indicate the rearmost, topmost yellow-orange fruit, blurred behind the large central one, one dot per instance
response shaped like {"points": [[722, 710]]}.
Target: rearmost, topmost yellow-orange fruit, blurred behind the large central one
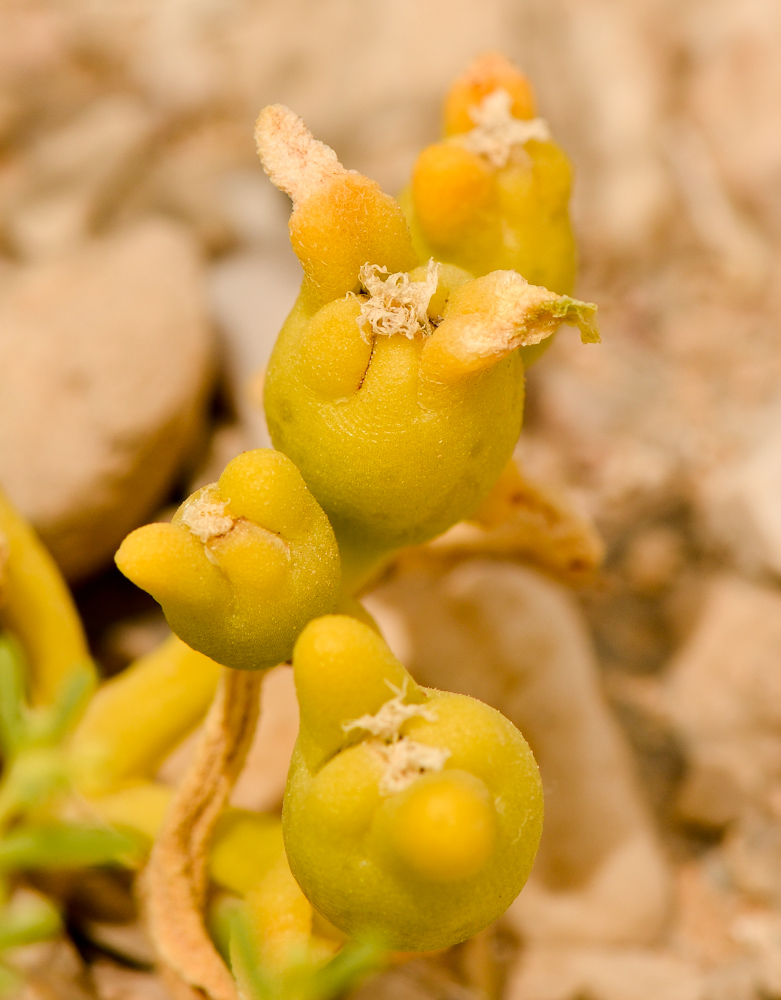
{"points": [[493, 195]]}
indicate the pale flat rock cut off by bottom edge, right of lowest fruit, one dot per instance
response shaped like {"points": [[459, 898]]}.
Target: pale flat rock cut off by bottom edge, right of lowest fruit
{"points": [[603, 974]]}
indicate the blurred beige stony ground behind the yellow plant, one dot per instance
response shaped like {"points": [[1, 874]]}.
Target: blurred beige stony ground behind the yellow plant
{"points": [[145, 271]]}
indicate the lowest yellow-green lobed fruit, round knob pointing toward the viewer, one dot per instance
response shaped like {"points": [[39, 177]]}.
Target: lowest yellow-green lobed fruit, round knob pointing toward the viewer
{"points": [[412, 816]]}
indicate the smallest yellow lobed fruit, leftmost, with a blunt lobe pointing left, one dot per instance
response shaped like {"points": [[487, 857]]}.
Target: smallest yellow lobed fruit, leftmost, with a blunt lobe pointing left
{"points": [[243, 566]]}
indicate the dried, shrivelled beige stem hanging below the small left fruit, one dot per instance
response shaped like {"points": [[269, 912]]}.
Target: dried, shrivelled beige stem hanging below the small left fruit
{"points": [[176, 877]]}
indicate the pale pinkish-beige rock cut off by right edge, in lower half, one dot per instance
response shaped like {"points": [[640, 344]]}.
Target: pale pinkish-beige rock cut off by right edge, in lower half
{"points": [[723, 691]]}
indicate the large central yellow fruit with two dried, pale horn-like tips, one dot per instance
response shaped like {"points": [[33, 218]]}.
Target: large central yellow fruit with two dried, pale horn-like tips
{"points": [[396, 390]]}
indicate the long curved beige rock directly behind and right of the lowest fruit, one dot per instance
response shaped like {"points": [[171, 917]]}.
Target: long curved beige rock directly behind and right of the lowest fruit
{"points": [[510, 637]]}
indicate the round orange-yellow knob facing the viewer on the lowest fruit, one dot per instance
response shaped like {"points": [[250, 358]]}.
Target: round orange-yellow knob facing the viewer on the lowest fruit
{"points": [[445, 827]]}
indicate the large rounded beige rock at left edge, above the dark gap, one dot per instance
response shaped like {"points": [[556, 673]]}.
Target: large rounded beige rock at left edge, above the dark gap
{"points": [[105, 357]]}
